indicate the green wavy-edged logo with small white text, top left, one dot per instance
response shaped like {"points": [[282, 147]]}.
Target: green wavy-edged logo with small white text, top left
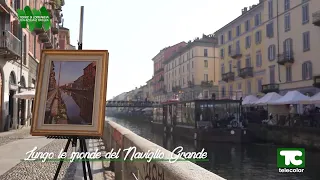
{"points": [[34, 18]]}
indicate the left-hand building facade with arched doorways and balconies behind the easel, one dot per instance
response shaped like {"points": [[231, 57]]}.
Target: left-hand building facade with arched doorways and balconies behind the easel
{"points": [[19, 58]]}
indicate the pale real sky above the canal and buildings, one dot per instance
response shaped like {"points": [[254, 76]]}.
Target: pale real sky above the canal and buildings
{"points": [[135, 31]]}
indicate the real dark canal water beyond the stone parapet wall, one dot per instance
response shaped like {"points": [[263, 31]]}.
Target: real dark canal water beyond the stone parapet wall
{"points": [[231, 161]]}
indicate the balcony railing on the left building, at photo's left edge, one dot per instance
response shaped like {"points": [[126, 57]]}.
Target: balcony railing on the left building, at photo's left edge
{"points": [[11, 42]]}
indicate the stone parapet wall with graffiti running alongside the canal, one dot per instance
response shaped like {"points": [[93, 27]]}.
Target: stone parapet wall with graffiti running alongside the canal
{"points": [[117, 137]]}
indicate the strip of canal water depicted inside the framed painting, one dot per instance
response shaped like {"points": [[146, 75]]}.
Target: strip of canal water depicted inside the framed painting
{"points": [[73, 110]]}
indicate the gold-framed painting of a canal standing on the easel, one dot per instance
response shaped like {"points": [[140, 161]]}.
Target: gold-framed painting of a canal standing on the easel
{"points": [[70, 93]]}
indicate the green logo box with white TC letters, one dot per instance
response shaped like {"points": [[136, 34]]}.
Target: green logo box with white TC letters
{"points": [[291, 157]]}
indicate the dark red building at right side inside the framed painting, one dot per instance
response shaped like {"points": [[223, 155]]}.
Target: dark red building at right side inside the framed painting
{"points": [[89, 76]]}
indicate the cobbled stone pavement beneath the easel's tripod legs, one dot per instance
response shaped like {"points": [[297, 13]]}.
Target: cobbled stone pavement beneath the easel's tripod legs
{"points": [[15, 144]]}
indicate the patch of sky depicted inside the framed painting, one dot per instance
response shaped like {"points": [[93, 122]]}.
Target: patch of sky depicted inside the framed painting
{"points": [[70, 71]]}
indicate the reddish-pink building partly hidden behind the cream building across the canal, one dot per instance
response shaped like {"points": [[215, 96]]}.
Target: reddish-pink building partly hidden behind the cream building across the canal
{"points": [[158, 78]]}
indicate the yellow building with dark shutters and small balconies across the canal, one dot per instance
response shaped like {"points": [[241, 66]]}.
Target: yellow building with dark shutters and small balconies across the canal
{"points": [[241, 50]]}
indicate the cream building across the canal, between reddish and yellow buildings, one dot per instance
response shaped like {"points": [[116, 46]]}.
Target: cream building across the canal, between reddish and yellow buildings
{"points": [[192, 71]]}
